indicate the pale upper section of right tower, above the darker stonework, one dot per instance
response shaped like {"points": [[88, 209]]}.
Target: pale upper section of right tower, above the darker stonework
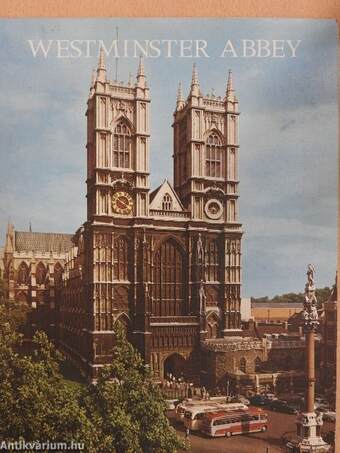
{"points": [[205, 152]]}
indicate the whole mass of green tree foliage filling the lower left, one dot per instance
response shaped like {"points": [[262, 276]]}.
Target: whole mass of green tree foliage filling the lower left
{"points": [[124, 412]]}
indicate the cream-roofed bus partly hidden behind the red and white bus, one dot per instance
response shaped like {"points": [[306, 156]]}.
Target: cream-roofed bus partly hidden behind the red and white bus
{"points": [[193, 416]]}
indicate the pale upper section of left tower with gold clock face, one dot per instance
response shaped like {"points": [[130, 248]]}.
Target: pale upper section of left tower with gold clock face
{"points": [[117, 147]]}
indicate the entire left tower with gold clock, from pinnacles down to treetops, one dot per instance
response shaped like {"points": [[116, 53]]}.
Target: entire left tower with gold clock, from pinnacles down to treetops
{"points": [[118, 121]]}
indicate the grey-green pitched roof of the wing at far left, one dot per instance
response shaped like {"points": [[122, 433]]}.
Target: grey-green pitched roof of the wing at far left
{"points": [[42, 242]]}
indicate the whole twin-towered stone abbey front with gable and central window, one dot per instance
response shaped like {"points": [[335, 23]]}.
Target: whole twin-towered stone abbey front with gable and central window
{"points": [[165, 264]]}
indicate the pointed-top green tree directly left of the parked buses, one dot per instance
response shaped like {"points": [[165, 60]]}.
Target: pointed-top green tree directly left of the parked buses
{"points": [[128, 406]]}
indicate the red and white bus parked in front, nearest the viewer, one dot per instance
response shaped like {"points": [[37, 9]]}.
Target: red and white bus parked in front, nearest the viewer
{"points": [[222, 423]]}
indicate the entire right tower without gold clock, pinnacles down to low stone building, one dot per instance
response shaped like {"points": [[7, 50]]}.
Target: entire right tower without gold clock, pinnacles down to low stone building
{"points": [[206, 150]]}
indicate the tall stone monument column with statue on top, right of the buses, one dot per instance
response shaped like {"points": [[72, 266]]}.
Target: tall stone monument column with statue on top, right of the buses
{"points": [[308, 423]]}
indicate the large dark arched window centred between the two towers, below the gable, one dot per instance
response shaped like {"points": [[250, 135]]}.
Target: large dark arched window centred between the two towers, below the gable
{"points": [[168, 280]]}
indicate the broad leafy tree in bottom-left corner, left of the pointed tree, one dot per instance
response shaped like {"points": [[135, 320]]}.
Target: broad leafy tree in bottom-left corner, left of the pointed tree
{"points": [[35, 402]]}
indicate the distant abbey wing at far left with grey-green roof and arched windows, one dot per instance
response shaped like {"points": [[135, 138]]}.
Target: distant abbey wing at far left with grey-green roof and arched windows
{"points": [[33, 264]]}
